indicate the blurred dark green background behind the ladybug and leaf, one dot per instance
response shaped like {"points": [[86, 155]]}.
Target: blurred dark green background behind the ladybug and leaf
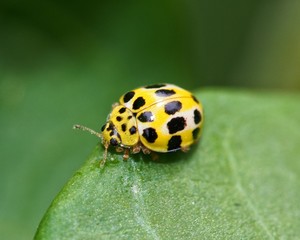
{"points": [[66, 62]]}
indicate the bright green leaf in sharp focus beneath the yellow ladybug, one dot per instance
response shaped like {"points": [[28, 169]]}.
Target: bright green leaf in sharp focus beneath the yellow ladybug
{"points": [[241, 181]]}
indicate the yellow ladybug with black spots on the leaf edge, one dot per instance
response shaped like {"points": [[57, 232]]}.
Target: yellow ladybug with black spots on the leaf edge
{"points": [[155, 118]]}
